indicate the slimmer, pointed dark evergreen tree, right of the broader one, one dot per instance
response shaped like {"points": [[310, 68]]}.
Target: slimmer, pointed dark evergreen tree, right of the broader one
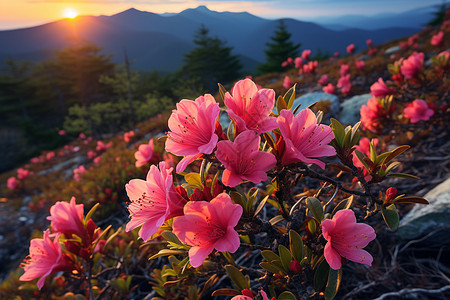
{"points": [[280, 49]]}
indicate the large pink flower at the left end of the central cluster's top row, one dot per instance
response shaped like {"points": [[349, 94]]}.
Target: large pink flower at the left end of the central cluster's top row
{"points": [[192, 127]]}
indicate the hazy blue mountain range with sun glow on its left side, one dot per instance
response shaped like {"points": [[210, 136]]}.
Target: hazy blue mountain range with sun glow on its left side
{"points": [[159, 41]]}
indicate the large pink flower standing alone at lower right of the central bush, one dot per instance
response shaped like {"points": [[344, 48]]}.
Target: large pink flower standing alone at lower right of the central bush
{"points": [[346, 238]]}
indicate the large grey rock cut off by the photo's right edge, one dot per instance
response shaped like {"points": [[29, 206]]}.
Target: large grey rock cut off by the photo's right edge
{"points": [[424, 219]]}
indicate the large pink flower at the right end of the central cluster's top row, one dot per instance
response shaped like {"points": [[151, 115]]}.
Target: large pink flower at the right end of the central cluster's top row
{"points": [[304, 138]]}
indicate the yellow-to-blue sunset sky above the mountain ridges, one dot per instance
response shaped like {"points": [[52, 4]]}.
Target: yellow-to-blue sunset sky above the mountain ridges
{"points": [[26, 13]]}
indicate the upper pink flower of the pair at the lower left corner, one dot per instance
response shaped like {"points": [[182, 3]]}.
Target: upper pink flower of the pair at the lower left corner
{"points": [[67, 218]]}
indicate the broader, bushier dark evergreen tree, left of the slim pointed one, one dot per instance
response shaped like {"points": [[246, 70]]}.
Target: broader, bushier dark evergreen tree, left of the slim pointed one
{"points": [[210, 62]]}
